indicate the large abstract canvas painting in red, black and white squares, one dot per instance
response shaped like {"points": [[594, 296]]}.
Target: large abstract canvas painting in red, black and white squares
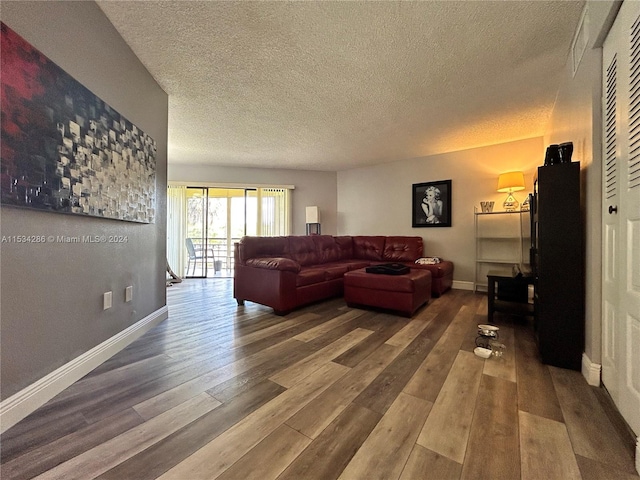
{"points": [[65, 150]]}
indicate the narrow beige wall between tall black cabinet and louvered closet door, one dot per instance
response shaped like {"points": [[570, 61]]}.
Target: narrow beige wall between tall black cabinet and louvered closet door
{"points": [[577, 117]]}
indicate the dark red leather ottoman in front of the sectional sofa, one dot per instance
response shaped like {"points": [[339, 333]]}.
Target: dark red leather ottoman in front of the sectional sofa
{"points": [[402, 293]]}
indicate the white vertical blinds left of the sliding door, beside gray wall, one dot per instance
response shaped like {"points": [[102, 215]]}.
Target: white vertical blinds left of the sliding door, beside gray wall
{"points": [[176, 227]]}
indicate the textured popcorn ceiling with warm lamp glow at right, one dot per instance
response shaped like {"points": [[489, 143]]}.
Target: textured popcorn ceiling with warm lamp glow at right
{"points": [[336, 85]]}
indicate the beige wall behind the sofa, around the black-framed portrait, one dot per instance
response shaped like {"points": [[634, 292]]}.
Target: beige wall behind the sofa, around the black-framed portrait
{"points": [[377, 200]]}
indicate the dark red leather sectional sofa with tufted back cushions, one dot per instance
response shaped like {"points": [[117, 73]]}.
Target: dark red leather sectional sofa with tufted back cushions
{"points": [[287, 272]]}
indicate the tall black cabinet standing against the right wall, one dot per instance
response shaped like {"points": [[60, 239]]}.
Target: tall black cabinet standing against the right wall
{"points": [[558, 265]]}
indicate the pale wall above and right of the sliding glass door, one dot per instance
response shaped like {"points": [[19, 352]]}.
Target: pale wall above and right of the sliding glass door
{"points": [[311, 188]]}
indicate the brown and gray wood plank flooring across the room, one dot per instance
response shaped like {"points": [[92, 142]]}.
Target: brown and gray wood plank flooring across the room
{"points": [[326, 392]]}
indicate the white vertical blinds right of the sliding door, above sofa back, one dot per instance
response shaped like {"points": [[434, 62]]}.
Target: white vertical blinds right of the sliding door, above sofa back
{"points": [[274, 212]]}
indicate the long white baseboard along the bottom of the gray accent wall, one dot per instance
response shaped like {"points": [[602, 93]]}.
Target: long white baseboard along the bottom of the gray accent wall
{"points": [[29, 399]]}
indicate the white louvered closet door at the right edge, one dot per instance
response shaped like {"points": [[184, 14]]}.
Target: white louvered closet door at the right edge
{"points": [[621, 213]]}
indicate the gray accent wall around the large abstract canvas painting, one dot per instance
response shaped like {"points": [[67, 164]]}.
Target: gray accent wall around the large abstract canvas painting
{"points": [[51, 294]]}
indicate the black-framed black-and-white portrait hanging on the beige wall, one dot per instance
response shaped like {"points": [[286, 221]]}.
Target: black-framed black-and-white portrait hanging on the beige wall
{"points": [[433, 213]]}
